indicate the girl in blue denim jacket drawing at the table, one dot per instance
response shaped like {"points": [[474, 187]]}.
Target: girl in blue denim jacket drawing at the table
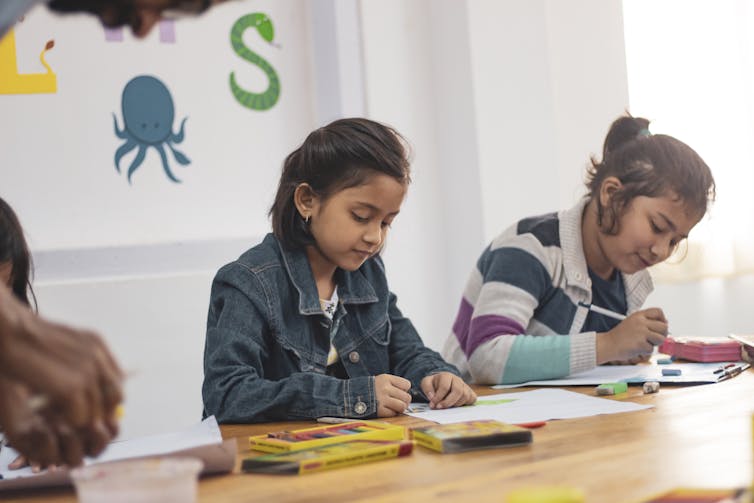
{"points": [[304, 325]]}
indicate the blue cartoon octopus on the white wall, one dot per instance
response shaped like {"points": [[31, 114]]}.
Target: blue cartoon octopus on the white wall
{"points": [[148, 119]]}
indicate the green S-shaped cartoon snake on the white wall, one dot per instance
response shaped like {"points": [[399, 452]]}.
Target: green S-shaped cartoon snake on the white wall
{"points": [[254, 101]]}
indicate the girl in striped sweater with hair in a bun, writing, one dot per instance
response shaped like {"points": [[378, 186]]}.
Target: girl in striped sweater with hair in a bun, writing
{"points": [[525, 313]]}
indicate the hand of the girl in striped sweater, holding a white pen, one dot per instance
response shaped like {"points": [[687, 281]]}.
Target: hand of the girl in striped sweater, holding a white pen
{"points": [[633, 337]]}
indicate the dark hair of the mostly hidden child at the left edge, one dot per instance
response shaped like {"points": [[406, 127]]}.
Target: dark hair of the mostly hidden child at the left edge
{"points": [[15, 251]]}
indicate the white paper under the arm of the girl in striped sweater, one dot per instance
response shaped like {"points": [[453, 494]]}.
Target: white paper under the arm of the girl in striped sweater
{"points": [[698, 373]]}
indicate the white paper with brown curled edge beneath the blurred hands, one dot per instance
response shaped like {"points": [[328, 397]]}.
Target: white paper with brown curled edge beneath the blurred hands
{"points": [[202, 441]]}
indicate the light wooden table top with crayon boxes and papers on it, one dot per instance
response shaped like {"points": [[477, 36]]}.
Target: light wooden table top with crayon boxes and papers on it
{"points": [[697, 436]]}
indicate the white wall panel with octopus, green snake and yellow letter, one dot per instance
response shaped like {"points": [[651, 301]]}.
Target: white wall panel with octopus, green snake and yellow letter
{"points": [[112, 140]]}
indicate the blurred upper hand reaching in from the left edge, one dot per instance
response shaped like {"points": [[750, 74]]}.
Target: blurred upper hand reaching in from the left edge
{"points": [[70, 368]]}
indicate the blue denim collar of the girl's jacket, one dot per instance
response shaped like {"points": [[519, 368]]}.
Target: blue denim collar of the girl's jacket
{"points": [[353, 287]]}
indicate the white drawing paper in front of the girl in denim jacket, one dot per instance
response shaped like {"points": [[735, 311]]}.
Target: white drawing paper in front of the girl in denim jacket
{"points": [[530, 406]]}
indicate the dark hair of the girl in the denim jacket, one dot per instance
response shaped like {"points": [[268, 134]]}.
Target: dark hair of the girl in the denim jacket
{"points": [[343, 154]]}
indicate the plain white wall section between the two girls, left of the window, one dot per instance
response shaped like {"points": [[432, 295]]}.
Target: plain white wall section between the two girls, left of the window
{"points": [[502, 103]]}
